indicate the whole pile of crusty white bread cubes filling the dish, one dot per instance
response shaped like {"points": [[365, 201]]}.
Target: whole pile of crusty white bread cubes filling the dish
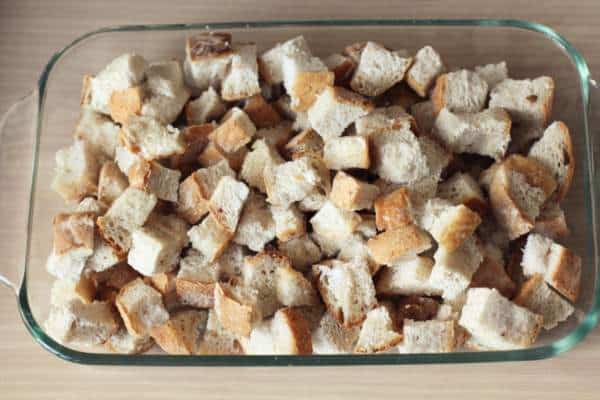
{"points": [[246, 202]]}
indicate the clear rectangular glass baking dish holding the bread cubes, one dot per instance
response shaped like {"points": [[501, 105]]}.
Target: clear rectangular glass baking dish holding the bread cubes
{"points": [[37, 126]]}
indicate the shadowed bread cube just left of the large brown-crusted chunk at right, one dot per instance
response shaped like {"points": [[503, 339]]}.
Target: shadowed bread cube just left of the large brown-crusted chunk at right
{"points": [[462, 188]]}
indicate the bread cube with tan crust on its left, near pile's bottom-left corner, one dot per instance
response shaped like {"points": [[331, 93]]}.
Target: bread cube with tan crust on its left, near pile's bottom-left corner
{"points": [[141, 307]]}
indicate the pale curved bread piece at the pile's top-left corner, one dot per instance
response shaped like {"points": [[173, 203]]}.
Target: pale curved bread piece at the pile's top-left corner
{"points": [[125, 71]]}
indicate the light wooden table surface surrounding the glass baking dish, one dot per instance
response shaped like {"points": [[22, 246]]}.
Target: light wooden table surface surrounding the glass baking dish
{"points": [[30, 31]]}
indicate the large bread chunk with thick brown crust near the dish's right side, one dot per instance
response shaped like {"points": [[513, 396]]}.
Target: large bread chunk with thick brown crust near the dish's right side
{"points": [[519, 188]]}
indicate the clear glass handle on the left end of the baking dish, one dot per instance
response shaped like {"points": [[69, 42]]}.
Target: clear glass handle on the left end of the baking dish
{"points": [[16, 161]]}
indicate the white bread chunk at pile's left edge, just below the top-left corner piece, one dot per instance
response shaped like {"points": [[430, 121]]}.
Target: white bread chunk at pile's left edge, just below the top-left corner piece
{"points": [[101, 134]]}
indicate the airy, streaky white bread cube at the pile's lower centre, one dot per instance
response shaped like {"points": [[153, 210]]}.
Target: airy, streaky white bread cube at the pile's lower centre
{"points": [[347, 290]]}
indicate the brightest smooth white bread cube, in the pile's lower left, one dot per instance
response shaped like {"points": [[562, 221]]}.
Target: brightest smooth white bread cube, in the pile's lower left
{"points": [[156, 246]]}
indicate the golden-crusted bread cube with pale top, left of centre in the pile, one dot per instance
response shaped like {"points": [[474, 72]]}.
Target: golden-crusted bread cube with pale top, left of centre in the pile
{"points": [[196, 190]]}
